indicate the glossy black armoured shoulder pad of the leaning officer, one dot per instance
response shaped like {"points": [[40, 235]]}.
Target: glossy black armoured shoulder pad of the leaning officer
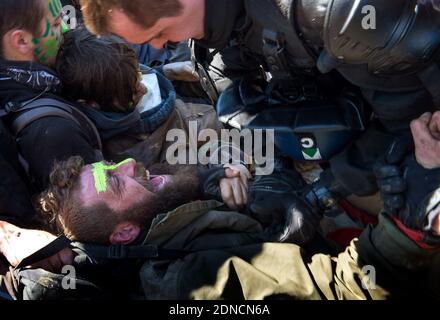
{"points": [[392, 36]]}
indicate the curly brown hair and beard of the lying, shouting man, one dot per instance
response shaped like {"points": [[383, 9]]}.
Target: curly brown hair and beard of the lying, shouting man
{"points": [[61, 207]]}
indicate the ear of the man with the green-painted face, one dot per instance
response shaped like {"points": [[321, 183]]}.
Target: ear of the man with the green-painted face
{"points": [[18, 45]]}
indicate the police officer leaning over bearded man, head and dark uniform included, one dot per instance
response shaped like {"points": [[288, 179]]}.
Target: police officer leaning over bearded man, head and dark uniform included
{"points": [[327, 62]]}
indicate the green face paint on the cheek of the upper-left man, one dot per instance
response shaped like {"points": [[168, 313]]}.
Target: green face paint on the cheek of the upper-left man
{"points": [[49, 42]]}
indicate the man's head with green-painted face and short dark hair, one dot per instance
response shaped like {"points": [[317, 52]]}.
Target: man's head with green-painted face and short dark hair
{"points": [[30, 30]]}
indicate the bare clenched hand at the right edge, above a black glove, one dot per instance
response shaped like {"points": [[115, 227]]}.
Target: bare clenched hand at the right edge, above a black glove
{"points": [[426, 133]]}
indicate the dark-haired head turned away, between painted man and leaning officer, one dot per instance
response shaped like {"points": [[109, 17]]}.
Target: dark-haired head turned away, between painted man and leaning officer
{"points": [[102, 72]]}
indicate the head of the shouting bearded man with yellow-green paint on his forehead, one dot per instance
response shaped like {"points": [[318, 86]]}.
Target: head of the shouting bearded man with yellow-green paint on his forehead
{"points": [[107, 203]]}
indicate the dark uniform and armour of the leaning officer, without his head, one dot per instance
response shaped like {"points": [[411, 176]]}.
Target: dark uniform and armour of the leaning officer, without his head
{"points": [[387, 49]]}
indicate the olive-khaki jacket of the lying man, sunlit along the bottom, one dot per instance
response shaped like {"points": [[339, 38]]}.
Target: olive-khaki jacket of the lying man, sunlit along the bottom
{"points": [[231, 261]]}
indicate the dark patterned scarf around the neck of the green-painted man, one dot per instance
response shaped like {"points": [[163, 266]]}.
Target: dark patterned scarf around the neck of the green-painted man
{"points": [[31, 74]]}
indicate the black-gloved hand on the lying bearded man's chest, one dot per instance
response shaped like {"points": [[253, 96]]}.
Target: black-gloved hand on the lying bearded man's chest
{"points": [[276, 205]]}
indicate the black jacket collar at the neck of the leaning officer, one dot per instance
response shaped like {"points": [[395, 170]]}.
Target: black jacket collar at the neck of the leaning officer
{"points": [[221, 19]]}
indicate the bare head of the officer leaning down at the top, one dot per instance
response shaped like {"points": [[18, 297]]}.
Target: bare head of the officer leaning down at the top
{"points": [[142, 21]]}
